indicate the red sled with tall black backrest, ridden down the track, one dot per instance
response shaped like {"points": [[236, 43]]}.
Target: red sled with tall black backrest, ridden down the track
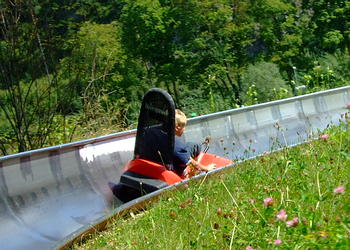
{"points": [[145, 174]]}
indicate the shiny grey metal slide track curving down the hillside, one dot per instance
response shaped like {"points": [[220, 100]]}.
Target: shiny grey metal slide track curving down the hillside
{"points": [[49, 195]]}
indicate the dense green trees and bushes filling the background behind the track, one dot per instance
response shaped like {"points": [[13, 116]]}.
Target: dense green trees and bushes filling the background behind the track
{"points": [[86, 64]]}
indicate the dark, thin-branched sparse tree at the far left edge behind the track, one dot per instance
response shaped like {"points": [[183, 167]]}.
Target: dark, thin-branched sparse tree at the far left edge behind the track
{"points": [[30, 94]]}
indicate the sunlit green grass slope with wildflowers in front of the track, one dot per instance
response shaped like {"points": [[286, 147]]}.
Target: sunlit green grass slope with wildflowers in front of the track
{"points": [[227, 211]]}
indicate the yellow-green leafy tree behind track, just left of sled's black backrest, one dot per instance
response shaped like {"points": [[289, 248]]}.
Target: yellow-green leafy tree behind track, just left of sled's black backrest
{"points": [[98, 71]]}
